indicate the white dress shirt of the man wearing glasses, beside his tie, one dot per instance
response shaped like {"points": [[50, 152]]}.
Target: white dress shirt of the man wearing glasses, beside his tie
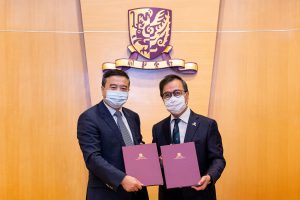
{"points": [[184, 119]]}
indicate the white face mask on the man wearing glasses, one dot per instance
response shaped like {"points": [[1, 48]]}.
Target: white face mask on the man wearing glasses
{"points": [[175, 105]]}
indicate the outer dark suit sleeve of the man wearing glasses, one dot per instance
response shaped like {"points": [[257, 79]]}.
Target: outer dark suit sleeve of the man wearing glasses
{"points": [[215, 153]]}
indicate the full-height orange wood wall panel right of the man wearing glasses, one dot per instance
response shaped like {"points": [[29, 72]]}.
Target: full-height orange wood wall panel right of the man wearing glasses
{"points": [[255, 98]]}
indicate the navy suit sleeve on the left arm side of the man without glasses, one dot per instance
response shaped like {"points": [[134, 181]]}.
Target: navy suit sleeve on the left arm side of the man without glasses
{"points": [[90, 144]]}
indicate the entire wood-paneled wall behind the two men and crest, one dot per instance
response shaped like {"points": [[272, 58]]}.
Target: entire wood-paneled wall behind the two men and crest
{"points": [[254, 94]]}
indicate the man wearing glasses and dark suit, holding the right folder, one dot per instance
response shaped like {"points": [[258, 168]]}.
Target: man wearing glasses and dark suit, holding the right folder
{"points": [[183, 125]]}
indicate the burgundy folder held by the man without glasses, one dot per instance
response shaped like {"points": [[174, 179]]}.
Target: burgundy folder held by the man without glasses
{"points": [[142, 162]]}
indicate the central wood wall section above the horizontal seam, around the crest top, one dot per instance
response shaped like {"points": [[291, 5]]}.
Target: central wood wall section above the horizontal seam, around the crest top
{"points": [[188, 15]]}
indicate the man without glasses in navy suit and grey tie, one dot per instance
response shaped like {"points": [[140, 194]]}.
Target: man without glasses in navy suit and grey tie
{"points": [[102, 131]]}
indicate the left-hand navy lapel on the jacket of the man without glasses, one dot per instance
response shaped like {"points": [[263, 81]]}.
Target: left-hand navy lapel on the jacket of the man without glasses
{"points": [[106, 116]]}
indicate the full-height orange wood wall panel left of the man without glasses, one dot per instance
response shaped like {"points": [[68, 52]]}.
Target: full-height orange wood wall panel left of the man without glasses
{"points": [[43, 89]]}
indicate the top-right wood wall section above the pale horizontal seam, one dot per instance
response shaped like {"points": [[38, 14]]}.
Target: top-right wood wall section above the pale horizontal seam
{"points": [[260, 15]]}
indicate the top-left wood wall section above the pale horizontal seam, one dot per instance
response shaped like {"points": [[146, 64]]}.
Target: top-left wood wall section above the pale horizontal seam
{"points": [[43, 15]]}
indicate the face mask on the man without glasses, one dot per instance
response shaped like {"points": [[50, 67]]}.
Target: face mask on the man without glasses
{"points": [[115, 99]]}
